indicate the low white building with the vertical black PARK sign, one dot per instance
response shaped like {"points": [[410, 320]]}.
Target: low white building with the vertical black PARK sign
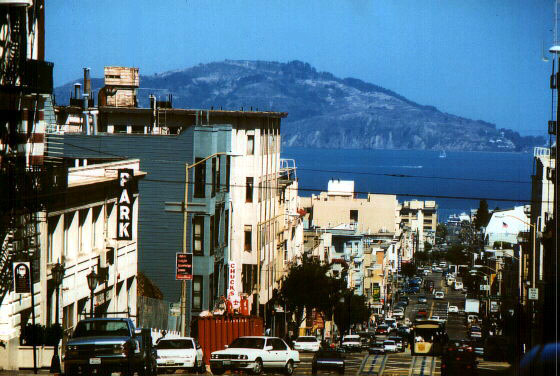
{"points": [[78, 228]]}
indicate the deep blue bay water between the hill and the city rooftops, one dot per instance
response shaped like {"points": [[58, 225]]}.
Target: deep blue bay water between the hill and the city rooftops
{"points": [[456, 182]]}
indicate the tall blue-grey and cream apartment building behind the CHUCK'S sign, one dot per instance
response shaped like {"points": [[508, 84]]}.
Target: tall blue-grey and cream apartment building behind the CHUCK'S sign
{"points": [[242, 197]]}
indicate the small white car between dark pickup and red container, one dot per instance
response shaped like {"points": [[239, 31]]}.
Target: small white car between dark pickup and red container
{"points": [[179, 353]]}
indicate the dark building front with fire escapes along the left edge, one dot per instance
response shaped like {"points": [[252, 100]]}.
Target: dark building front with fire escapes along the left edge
{"points": [[26, 183]]}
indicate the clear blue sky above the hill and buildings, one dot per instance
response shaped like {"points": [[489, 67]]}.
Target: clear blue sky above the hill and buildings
{"points": [[475, 58]]}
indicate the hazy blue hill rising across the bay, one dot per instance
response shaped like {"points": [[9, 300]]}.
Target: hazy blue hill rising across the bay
{"points": [[324, 111]]}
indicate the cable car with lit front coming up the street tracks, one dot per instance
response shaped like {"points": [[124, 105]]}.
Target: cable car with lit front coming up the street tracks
{"points": [[428, 338]]}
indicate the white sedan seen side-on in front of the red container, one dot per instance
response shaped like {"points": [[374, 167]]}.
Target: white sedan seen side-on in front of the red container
{"points": [[254, 354]]}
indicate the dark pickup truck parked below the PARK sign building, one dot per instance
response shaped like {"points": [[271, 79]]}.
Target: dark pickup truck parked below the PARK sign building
{"points": [[107, 345]]}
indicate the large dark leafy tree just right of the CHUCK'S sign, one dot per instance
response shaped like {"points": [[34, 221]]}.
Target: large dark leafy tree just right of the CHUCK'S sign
{"points": [[308, 286]]}
